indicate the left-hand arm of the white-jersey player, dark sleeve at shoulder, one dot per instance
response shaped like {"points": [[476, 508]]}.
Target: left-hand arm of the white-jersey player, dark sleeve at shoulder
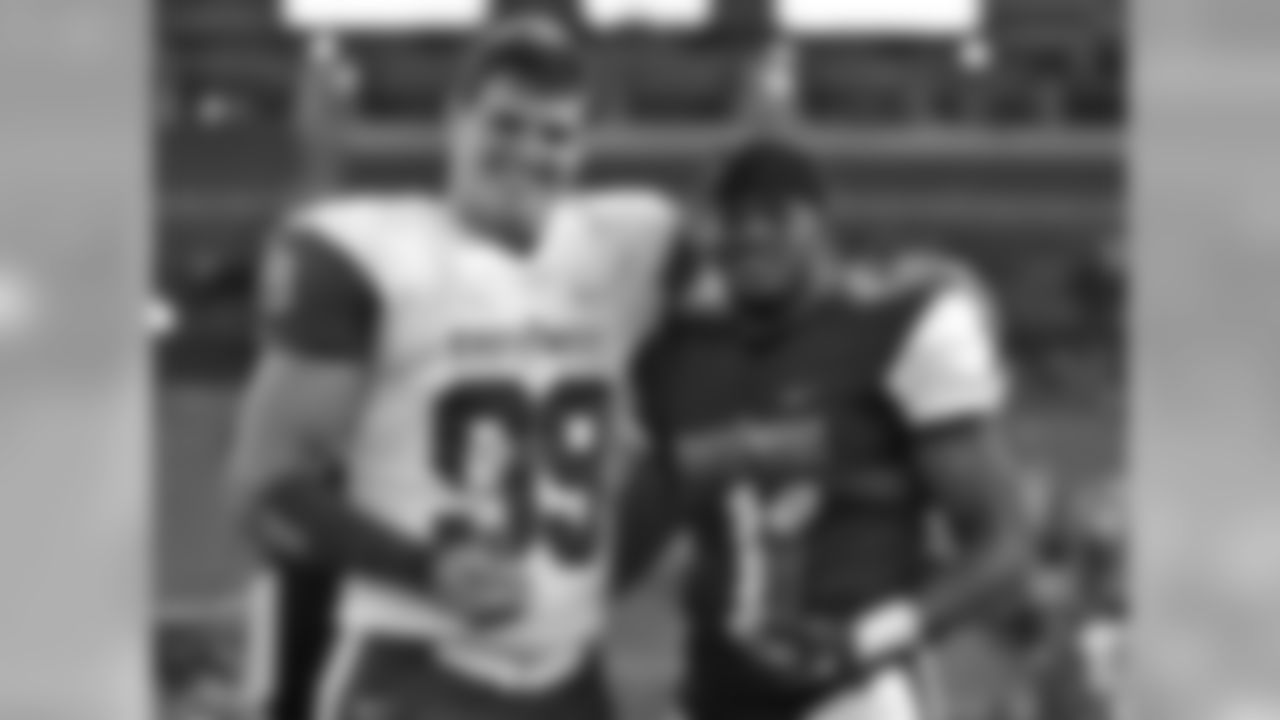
{"points": [[321, 330]]}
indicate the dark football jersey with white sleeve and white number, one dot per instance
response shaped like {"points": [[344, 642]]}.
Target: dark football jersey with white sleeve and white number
{"points": [[792, 441]]}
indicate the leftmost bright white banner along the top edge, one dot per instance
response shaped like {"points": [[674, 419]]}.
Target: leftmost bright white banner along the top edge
{"points": [[385, 15]]}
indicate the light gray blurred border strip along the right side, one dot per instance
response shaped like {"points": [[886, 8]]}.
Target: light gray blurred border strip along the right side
{"points": [[1208, 321]]}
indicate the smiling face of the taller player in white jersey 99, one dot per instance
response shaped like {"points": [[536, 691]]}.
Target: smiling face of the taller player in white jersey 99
{"points": [[515, 149]]}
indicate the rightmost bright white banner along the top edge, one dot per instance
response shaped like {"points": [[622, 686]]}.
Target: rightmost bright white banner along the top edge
{"points": [[881, 17]]}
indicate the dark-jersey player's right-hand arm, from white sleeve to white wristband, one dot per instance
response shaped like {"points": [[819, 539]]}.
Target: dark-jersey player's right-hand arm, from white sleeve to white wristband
{"points": [[950, 386]]}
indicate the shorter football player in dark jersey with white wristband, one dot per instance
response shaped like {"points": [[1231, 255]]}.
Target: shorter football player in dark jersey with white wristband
{"points": [[810, 425]]}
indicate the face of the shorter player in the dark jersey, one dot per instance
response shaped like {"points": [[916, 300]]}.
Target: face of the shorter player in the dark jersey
{"points": [[769, 253]]}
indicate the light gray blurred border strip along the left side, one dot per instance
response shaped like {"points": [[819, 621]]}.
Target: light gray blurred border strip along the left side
{"points": [[74, 420]]}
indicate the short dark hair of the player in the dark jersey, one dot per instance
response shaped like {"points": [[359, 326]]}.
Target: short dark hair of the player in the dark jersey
{"points": [[766, 174]]}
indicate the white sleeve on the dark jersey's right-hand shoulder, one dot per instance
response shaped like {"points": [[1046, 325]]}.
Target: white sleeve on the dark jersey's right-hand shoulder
{"points": [[950, 366]]}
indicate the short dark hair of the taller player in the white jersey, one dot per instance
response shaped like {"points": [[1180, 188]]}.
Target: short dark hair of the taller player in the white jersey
{"points": [[533, 51]]}
